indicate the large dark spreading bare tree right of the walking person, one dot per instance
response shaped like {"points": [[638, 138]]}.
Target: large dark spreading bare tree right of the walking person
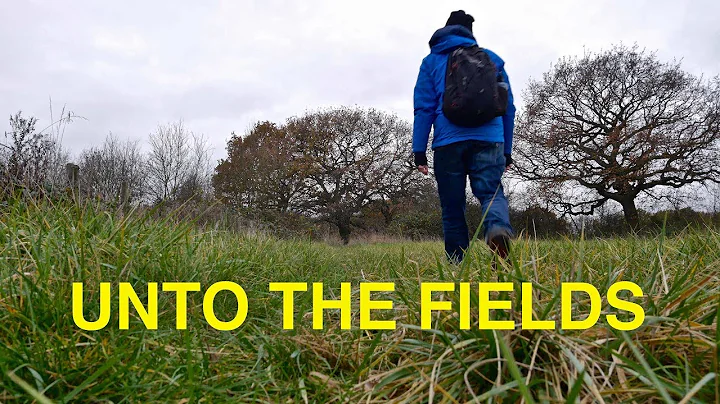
{"points": [[617, 124]]}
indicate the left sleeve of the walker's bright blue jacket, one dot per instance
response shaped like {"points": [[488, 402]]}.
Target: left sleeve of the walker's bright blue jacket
{"points": [[425, 102]]}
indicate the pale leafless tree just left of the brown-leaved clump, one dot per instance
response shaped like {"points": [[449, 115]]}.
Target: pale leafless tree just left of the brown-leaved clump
{"points": [[177, 165]]}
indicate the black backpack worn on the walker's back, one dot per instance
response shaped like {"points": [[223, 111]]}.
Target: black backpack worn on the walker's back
{"points": [[474, 91]]}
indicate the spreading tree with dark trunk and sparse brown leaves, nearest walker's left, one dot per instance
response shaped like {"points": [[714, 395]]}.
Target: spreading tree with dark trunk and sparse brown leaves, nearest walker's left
{"points": [[351, 158]]}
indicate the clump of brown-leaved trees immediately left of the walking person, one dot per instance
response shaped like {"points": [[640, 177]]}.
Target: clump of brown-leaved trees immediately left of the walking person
{"points": [[329, 165]]}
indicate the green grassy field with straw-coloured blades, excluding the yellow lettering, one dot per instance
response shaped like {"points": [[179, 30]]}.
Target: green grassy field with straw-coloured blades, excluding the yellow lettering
{"points": [[45, 357]]}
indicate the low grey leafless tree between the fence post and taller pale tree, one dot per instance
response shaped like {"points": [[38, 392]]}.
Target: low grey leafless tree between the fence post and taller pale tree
{"points": [[106, 168]]}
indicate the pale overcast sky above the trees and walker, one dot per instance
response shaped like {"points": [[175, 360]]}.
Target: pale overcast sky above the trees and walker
{"points": [[220, 65]]}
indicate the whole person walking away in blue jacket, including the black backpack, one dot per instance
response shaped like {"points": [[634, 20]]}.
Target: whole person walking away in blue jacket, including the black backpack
{"points": [[463, 94]]}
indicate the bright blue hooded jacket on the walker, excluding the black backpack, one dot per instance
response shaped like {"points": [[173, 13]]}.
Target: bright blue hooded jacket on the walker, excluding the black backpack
{"points": [[429, 92]]}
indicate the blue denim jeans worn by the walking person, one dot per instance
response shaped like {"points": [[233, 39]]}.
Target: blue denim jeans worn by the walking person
{"points": [[484, 163]]}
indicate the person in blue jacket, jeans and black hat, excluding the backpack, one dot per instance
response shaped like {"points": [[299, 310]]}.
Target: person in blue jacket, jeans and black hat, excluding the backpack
{"points": [[481, 153]]}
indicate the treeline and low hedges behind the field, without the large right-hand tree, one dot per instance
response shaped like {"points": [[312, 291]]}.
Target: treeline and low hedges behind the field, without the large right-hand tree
{"points": [[312, 177]]}
